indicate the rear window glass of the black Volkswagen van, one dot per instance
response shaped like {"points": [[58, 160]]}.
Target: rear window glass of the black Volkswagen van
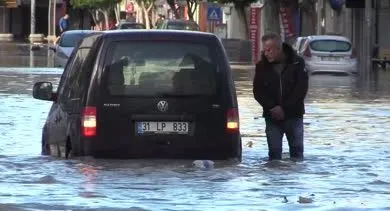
{"points": [[148, 68]]}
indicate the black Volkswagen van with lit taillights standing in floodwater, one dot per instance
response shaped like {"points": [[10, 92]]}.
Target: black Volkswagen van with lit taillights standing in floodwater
{"points": [[122, 94]]}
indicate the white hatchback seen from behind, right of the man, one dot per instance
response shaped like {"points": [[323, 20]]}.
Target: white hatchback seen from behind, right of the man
{"points": [[329, 54]]}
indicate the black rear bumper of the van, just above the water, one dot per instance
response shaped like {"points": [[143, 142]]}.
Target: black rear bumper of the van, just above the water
{"points": [[229, 147]]}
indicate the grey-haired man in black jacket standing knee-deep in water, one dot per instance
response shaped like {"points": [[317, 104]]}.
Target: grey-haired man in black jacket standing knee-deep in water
{"points": [[280, 86]]}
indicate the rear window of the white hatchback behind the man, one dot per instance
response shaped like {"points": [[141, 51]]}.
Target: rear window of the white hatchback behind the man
{"points": [[330, 45]]}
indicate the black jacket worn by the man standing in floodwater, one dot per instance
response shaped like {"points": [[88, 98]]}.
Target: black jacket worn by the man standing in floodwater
{"points": [[287, 90]]}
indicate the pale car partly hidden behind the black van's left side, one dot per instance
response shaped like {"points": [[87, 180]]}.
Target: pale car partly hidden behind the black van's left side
{"points": [[65, 45]]}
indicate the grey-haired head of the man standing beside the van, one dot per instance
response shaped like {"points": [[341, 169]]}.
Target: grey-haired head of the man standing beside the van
{"points": [[272, 46]]}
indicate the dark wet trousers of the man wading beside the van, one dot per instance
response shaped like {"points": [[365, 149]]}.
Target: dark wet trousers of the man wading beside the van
{"points": [[293, 128]]}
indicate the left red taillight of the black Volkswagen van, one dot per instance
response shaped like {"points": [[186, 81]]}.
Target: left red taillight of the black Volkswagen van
{"points": [[88, 121]]}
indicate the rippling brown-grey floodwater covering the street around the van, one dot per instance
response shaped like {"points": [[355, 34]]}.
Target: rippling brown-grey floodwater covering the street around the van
{"points": [[346, 147]]}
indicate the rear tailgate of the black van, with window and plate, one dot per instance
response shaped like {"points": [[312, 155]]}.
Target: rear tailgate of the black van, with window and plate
{"points": [[152, 96]]}
